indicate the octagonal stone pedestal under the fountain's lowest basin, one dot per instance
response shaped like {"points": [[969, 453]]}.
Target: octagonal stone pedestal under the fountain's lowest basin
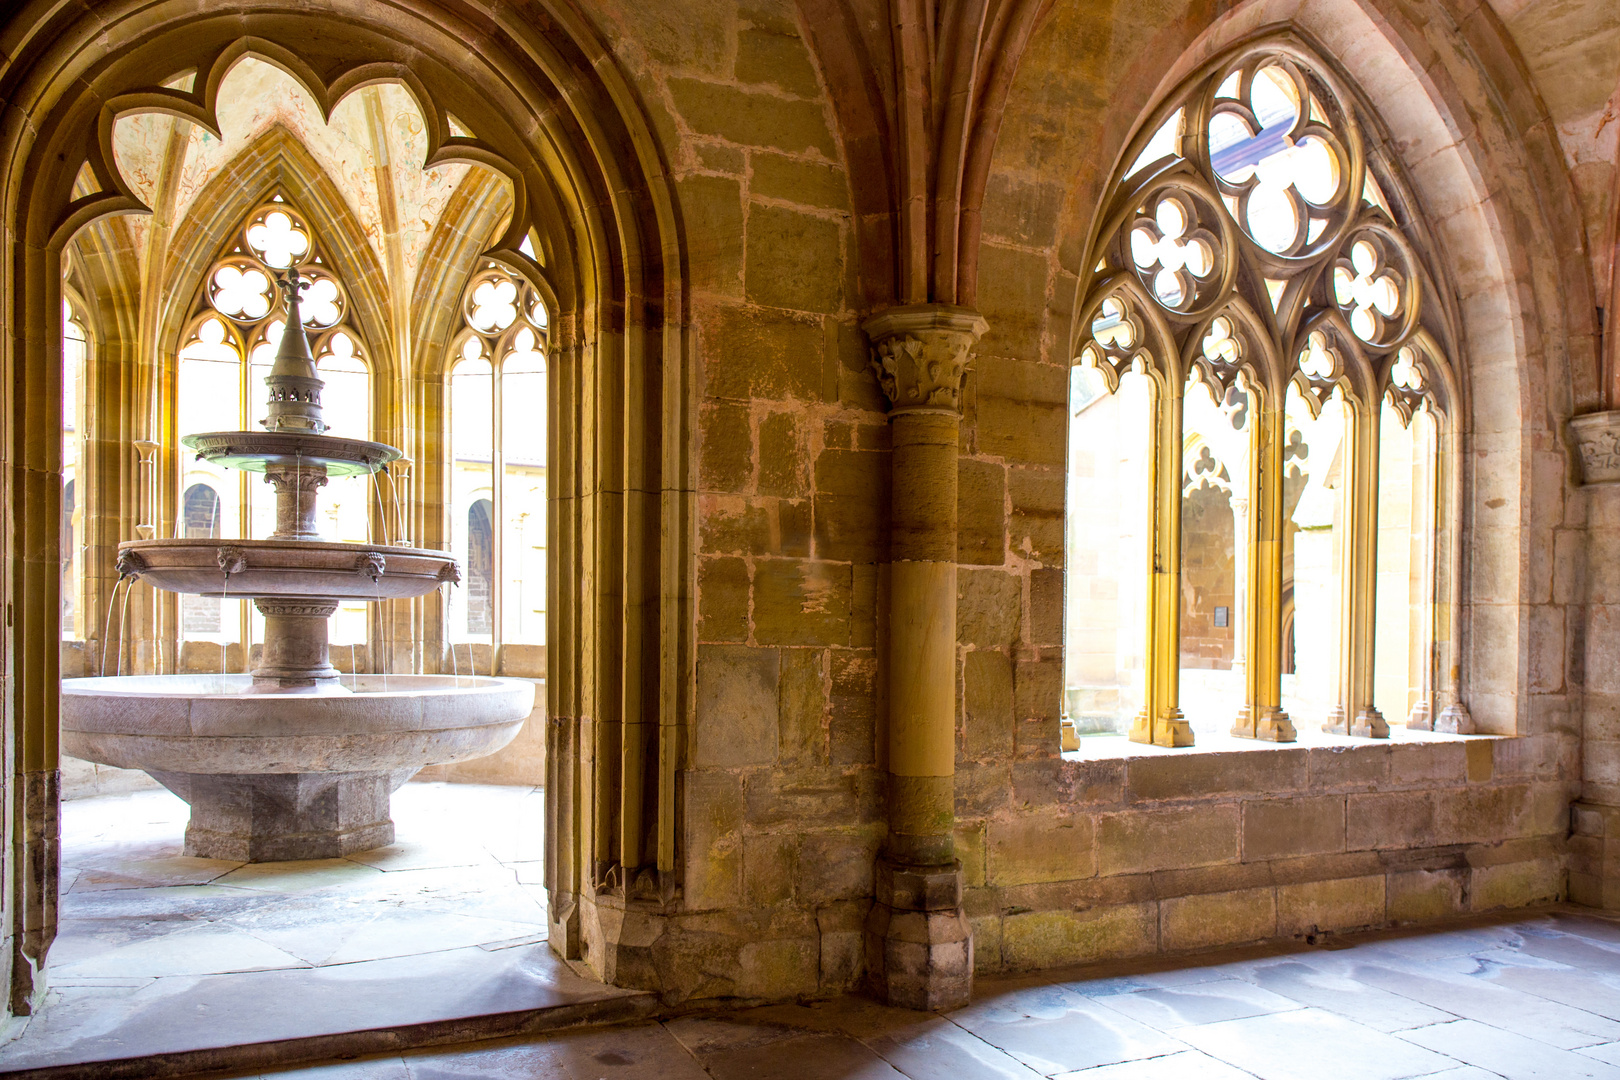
{"points": [[283, 817]]}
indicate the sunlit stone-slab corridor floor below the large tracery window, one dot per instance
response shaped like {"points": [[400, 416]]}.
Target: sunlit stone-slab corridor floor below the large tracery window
{"points": [[1535, 998]]}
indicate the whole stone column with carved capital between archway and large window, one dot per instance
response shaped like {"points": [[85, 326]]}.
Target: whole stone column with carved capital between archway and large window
{"points": [[919, 943]]}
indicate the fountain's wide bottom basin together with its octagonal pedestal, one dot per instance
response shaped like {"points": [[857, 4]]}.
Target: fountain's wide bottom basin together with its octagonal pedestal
{"points": [[275, 776]]}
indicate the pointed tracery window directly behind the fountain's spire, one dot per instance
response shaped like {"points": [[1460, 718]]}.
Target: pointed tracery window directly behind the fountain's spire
{"points": [[226, 352]]}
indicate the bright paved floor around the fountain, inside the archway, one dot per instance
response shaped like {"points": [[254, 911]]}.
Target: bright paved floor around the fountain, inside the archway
{"points": [[160, 953]]}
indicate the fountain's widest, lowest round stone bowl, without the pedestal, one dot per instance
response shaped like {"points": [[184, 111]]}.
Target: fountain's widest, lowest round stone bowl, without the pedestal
{"points": [[218, 725]]}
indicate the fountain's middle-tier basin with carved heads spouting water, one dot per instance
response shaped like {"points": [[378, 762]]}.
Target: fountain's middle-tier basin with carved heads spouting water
{"points": [[288, 569]]}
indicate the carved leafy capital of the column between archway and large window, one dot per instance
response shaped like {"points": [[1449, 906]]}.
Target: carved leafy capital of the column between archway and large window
{"points": [[919, 354]]}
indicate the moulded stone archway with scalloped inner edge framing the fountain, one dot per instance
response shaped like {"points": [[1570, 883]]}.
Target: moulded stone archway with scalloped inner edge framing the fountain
{"points": [[550, 114]]}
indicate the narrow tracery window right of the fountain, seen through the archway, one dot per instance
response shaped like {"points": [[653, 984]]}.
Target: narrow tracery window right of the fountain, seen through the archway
{"points": [[498, 462]]}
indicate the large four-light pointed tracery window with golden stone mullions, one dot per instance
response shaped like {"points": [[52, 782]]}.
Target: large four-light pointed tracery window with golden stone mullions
{"points": [[1261, 313]]}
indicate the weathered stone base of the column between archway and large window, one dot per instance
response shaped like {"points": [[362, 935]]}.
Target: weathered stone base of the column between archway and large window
{"points": [[919, 943]]}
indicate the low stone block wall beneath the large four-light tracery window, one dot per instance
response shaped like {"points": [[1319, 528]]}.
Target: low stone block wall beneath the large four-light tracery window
{"points": [[1091, 861]]}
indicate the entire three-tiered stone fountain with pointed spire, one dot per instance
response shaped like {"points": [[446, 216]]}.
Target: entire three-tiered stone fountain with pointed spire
{"points": [[294, 760]]}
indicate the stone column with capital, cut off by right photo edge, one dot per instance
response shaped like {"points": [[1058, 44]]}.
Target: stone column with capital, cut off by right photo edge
{"points": [[1595, 820]]}
